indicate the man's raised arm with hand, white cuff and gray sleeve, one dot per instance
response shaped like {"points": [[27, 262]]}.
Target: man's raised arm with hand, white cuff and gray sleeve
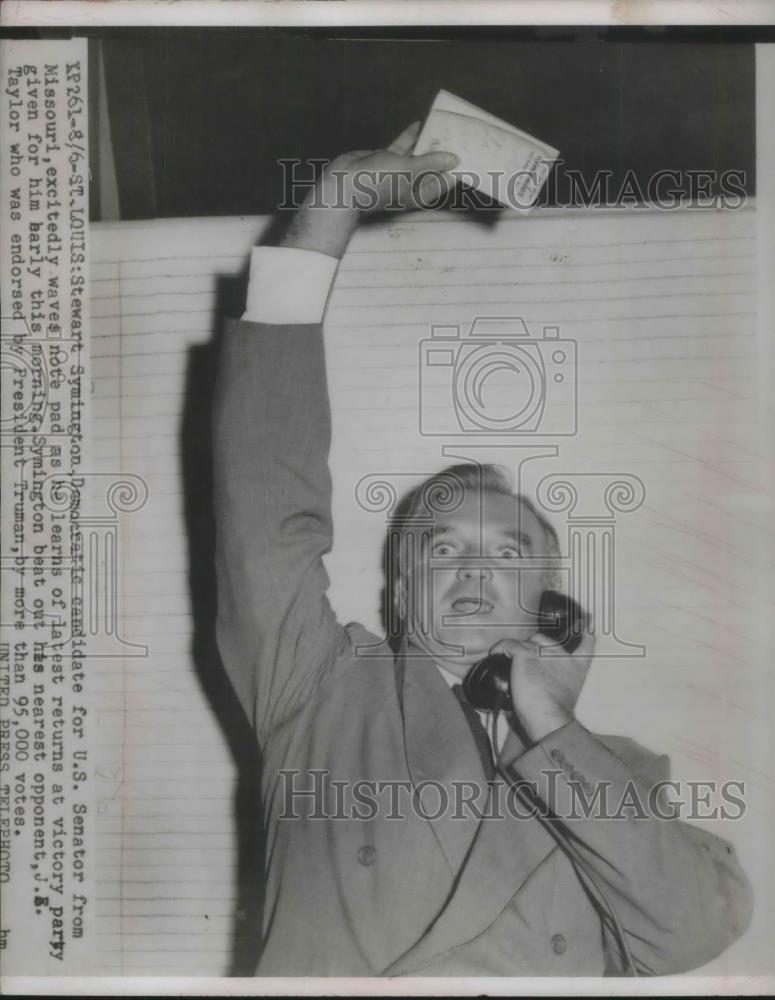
{"points": [[277, 633]]}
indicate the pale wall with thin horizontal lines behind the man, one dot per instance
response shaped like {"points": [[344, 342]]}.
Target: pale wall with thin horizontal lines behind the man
{"points": [[663, 307]]}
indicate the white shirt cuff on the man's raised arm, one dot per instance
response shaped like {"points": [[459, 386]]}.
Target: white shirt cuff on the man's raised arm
{"points": [[288, 285]]}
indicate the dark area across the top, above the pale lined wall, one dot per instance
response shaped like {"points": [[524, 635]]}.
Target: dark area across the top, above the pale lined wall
{"points": [[199, 119]]}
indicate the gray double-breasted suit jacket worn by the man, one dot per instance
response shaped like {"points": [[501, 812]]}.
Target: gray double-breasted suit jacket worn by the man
{"points": [[425, 894]]}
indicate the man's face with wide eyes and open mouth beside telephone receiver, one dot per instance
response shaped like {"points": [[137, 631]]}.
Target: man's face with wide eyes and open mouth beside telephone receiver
{"points": [[483, 581]]}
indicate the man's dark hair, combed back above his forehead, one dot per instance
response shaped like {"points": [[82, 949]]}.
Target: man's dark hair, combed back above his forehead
{"points": [[444, 491]]}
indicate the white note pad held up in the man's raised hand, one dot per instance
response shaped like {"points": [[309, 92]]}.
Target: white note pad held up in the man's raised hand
{"points": [[496, 158]]}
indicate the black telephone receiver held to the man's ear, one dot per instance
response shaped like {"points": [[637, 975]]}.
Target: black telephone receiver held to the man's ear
{"points": [[486, 685]]}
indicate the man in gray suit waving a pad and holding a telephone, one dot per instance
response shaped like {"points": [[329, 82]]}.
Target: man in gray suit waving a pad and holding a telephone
{"points": [[418, 890]]}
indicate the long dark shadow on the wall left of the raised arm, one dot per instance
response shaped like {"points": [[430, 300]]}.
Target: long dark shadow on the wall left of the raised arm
{"points": [[197, 472]]}
